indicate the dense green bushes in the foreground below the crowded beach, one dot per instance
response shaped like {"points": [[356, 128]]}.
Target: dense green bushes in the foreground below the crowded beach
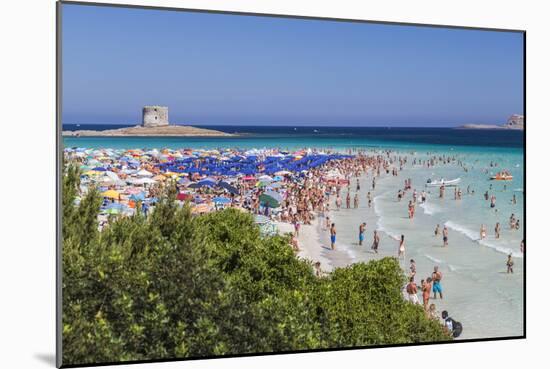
{"points": [[176, 285]]}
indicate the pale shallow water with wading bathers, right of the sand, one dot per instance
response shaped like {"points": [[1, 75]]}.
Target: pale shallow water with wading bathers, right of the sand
{"points": [[477, 290]]}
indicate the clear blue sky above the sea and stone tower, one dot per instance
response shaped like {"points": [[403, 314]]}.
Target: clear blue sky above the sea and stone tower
{"points": [[239, 70]]}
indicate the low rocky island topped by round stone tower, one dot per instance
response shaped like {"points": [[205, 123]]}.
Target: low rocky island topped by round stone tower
{"points": [[154, 123]]}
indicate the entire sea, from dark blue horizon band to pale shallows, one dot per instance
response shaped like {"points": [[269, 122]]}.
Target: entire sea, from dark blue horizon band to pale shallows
{"points": [[477, 290]]}
